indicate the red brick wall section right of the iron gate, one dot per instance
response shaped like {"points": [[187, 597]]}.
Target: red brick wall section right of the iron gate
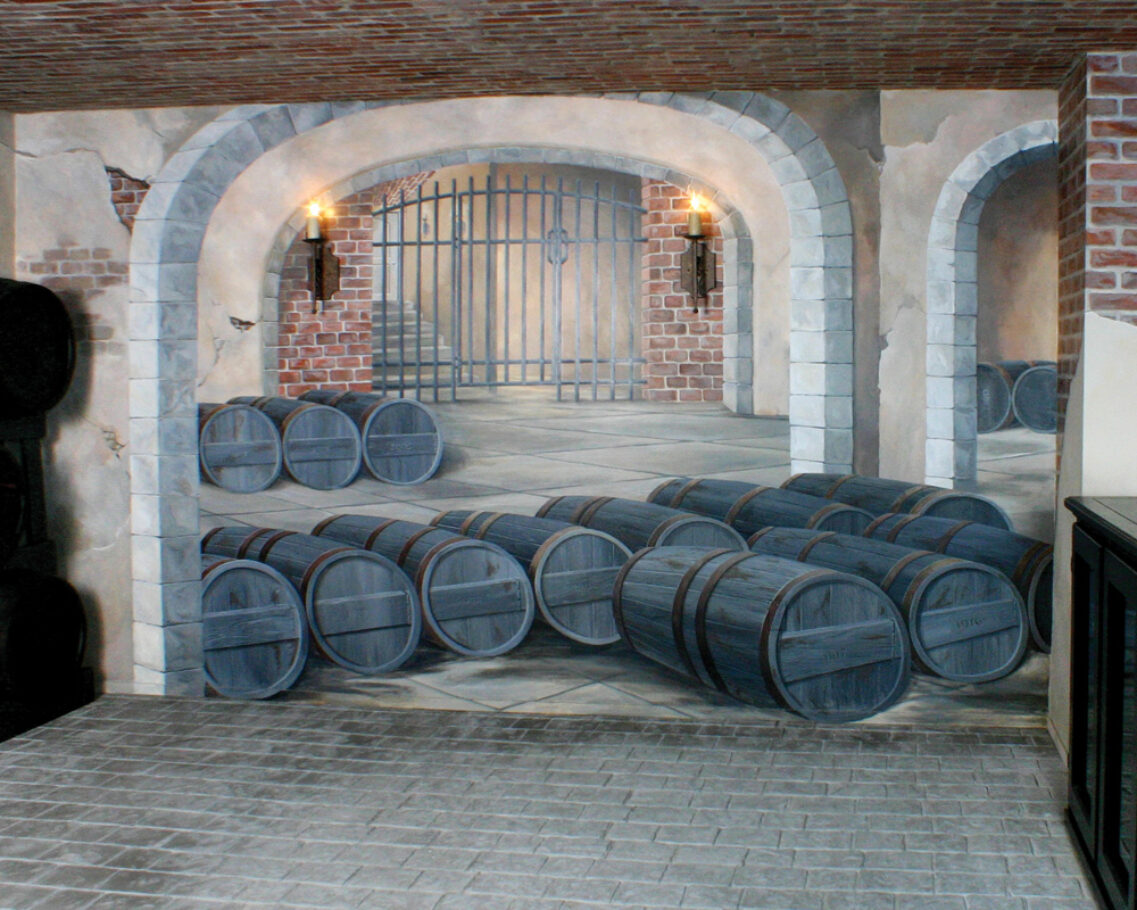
{"points": [[683, 349]]}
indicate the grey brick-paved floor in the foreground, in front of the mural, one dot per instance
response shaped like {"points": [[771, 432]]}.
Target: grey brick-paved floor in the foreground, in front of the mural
{"points": [[171, 804]]}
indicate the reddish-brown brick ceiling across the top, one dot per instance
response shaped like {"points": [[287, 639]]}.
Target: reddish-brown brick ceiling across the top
{"points": [[99, 54]]}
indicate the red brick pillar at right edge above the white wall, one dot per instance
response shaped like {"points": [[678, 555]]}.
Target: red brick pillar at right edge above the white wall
{"points": [[1098, 193]]}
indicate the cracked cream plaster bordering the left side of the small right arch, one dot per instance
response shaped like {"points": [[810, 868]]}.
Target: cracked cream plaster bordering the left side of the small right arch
{"points": [[926, 136]]}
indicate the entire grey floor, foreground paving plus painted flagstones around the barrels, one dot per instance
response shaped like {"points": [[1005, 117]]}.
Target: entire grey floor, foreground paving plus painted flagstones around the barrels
{"points": [[559, 777]]}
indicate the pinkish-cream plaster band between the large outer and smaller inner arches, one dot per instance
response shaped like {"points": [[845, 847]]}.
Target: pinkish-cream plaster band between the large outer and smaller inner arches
{"points": [[270, 192]]}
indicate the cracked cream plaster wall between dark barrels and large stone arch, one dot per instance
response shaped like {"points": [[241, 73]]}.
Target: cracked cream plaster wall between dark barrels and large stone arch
{"points": [[63, 198]]}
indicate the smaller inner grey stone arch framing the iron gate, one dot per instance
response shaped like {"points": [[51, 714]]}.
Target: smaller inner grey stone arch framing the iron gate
{"points": [[738, 247]]}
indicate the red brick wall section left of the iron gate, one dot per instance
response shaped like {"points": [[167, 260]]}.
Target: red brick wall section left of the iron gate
{"points": [[331, 350]]}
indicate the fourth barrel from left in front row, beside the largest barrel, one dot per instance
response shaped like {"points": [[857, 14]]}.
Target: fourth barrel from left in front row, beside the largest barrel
{"points": [[572, 568]]}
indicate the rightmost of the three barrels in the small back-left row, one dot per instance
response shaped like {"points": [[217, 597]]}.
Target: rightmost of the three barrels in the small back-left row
{"points": [[402, 442]]}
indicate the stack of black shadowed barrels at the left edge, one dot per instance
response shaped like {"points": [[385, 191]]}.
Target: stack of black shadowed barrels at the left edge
{"points": [[43, 621]]}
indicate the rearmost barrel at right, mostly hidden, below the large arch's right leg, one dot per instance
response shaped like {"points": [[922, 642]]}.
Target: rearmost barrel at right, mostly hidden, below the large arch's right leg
{"points": [[878, 495]]}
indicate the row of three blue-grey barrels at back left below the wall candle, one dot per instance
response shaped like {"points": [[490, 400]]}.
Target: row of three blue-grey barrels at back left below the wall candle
{"points": [[321, 441]]}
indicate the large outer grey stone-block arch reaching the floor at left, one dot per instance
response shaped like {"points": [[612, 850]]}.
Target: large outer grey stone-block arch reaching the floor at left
{"points": [[168, 242]]}
